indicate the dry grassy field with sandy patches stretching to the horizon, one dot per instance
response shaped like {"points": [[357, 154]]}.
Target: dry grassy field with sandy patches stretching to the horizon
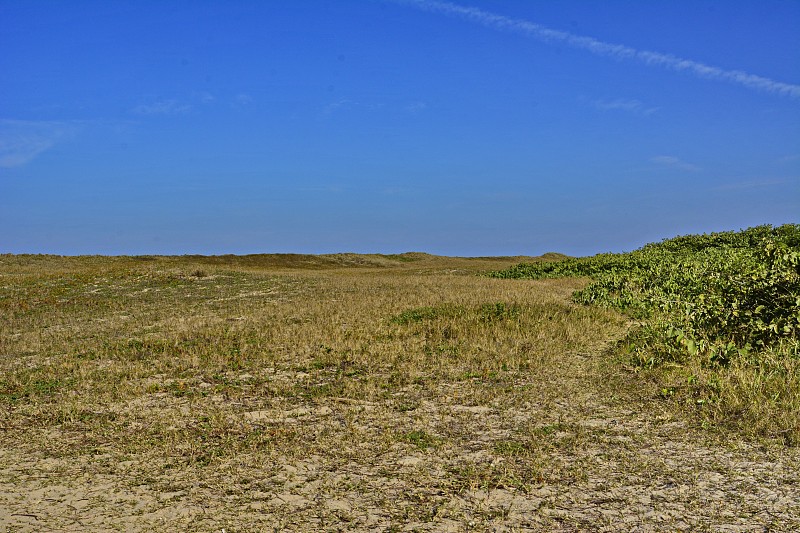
{"points": [[346, 392]]}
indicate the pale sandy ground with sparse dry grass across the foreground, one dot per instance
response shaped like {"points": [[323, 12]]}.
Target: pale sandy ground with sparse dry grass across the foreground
{"points": [[615, 466]]}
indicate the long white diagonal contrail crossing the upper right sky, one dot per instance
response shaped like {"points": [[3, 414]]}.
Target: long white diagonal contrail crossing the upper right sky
{"points": [[601, 48]]}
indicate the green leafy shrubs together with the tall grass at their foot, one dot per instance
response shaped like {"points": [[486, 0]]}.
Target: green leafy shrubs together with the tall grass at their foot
{"points": [[721, 312]]}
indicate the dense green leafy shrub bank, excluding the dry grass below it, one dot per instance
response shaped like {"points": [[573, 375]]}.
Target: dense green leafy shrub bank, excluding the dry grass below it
{"points": [[703, 300]]}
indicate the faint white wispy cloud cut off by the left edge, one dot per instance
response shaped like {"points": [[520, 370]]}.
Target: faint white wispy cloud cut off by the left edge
{"points": [[21, 141]]}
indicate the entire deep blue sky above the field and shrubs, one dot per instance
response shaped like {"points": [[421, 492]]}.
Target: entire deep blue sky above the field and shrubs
{"points": [[134, 127]]}
